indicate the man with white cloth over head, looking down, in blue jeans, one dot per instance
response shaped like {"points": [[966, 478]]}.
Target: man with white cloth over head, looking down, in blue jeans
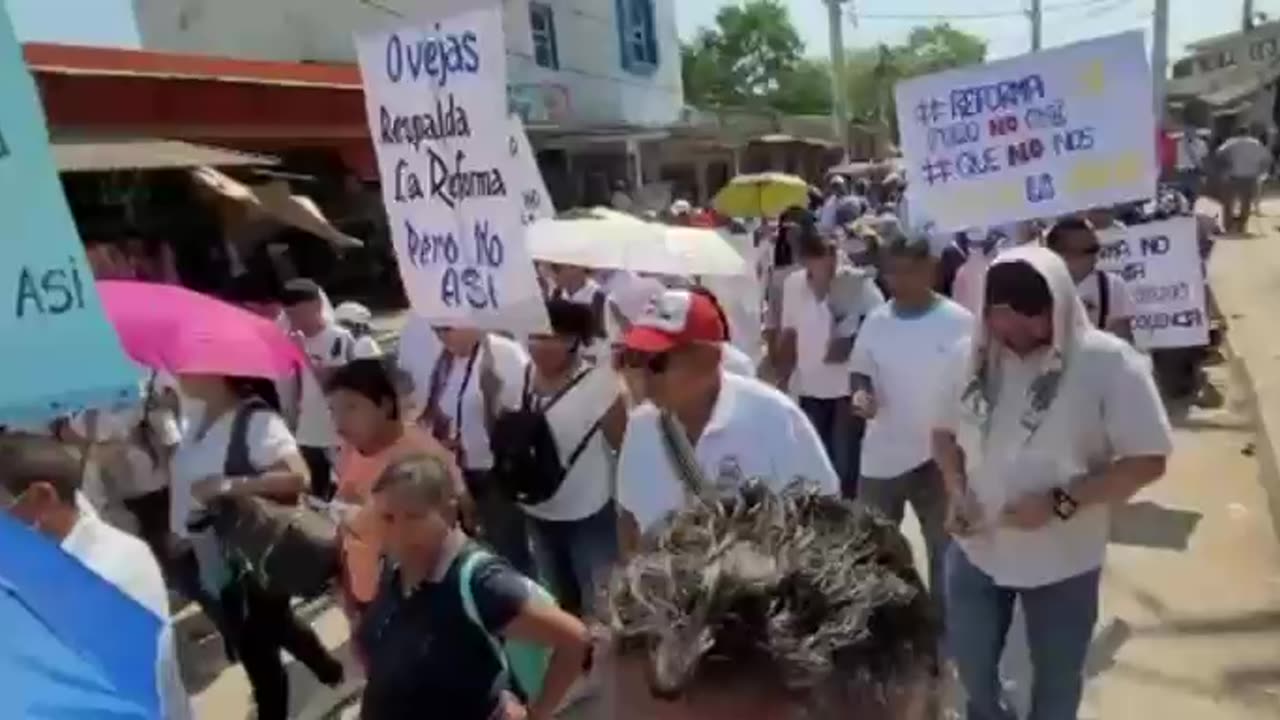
{"points": [[1044, 423]]}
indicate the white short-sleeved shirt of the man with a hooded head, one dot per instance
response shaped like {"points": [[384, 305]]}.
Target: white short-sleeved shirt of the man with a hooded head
{"points": [[1108, 408]]}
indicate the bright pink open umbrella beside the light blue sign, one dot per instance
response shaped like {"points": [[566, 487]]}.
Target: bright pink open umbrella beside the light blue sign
{"points": [[176, 330]]}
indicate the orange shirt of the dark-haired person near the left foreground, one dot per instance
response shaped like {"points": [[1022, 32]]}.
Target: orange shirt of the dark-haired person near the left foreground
{"points": [[363, 534]]}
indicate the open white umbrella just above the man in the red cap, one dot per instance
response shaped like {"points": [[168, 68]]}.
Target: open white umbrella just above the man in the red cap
{"points": [[611, 240]]}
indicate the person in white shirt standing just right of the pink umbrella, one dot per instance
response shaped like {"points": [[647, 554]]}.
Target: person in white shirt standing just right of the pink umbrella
{"points": [[327, 347]]}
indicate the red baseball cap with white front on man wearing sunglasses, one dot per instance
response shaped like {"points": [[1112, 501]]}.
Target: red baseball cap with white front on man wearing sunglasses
{"points": [[676, 318]]}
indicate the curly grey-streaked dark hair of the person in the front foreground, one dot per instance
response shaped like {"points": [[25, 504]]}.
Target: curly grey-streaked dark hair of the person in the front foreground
{"points": [[815, 594]]}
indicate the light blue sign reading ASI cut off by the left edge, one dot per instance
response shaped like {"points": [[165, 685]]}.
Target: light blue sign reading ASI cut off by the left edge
{"points": [[61, 353]]}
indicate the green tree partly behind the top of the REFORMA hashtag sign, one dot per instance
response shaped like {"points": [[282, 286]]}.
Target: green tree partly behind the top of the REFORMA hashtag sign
{"points": [[872, 72]]}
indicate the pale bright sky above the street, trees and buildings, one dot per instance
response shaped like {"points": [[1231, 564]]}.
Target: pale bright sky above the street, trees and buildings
{"points": [[1007, 30]]}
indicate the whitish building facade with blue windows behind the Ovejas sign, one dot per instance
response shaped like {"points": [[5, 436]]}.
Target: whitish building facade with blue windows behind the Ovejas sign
{"points": [[573, 65]]}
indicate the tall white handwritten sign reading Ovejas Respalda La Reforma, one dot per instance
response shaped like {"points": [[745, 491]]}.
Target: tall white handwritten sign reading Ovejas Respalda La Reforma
{"points": [[437, 102]]}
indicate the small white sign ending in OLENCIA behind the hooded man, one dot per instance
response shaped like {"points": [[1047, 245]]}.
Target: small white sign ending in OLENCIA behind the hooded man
{"points": [[1162, 267]]}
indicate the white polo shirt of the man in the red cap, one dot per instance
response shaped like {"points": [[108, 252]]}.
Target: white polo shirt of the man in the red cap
{"points": [[755, 434]]}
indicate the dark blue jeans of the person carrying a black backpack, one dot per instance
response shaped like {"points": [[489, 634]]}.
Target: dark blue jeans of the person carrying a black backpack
{"points": [[574, 557]]}
